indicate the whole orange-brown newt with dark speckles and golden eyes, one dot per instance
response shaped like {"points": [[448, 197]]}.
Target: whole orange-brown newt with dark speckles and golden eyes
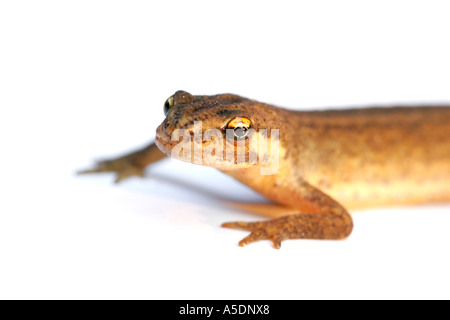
{"points": [[327, 161]]}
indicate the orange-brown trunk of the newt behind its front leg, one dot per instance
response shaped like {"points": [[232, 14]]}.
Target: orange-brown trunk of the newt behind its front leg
{"points": [[376, 156]]}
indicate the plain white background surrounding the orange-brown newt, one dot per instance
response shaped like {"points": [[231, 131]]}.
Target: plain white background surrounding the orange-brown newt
{"points": [[82, 80]]}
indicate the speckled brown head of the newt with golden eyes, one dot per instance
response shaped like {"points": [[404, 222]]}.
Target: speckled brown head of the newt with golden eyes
{"points": [[225, 131]]}
